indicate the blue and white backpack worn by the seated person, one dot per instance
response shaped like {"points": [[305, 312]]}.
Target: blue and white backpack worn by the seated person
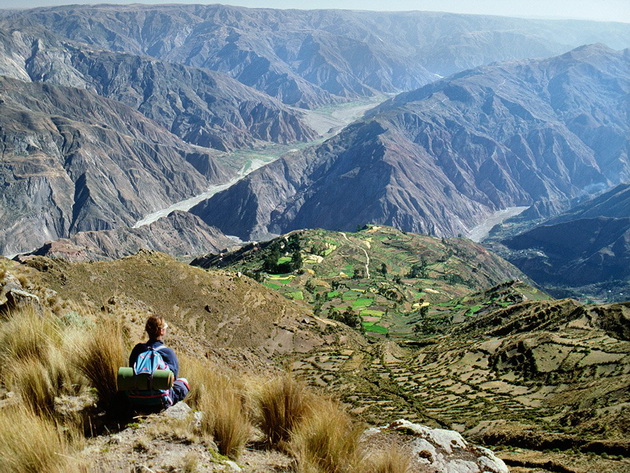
{"points": [[147, 364]]}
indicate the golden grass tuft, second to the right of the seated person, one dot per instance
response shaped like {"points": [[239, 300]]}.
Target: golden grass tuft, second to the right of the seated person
{"points": [[283, 403]]}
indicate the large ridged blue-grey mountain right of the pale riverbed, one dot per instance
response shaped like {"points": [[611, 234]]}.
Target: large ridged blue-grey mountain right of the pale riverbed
{"points": [[440, 159]]}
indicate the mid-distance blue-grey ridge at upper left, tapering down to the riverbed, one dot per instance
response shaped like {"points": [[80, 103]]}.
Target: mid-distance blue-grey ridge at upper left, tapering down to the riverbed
{"points": [[202, 107]]}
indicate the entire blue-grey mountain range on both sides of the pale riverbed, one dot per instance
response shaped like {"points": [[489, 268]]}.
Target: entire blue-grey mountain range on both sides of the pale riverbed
{"points": [[111, 113]]}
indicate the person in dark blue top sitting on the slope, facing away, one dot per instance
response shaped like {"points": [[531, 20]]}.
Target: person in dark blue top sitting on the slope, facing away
{"points": [[156, 329]]}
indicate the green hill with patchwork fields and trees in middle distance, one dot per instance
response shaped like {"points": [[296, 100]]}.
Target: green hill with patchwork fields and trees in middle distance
{"points": [[378, 279]]}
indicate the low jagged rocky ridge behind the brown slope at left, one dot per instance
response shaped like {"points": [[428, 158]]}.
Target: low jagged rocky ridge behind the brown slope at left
{"points": [[180, 234]]}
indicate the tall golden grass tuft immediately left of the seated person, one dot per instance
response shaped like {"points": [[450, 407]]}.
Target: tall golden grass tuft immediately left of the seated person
{"points": [[99, 357]]}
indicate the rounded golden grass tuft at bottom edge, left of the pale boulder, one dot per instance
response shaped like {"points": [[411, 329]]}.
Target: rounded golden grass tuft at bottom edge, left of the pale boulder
{"points": [[327, 441]]}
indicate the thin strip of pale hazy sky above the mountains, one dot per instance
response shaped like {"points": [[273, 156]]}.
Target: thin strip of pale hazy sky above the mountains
{"points": [[600, 10]]}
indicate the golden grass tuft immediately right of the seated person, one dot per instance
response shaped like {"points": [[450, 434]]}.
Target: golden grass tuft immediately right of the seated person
{"points": [[224, 404]]}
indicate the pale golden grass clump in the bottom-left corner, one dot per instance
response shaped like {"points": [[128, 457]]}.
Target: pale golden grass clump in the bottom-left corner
{"points": [[30, 443]]}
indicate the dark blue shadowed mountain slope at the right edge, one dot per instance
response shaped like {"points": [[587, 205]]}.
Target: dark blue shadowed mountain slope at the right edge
{"points": [[586, 245]]}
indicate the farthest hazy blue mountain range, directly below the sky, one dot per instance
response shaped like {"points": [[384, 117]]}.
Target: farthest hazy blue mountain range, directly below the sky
{"points": [[310, 58]]}
